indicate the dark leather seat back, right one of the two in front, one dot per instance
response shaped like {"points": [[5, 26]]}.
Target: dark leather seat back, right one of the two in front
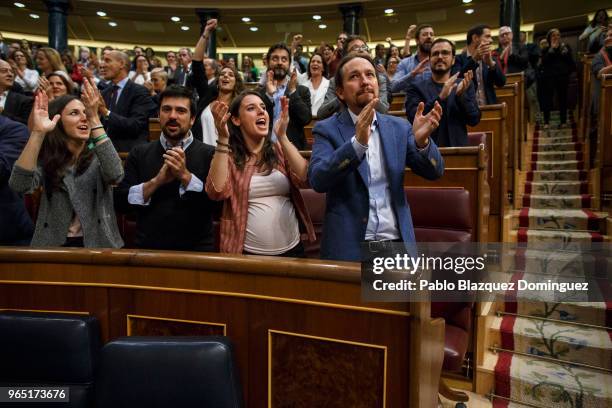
{"points": [[168, 372]]}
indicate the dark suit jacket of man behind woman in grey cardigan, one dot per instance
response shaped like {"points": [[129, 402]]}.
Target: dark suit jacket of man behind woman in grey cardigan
{"points": [[128, 125]]}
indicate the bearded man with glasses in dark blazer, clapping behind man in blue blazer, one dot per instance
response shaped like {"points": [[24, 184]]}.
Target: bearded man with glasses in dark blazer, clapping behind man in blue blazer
{"points": [[456, 96]]}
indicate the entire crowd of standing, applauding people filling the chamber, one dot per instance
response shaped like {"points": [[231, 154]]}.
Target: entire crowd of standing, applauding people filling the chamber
{"points": [[220, 142]]}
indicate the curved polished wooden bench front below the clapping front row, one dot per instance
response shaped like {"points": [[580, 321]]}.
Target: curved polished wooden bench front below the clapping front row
{"points": [[250, 297]]}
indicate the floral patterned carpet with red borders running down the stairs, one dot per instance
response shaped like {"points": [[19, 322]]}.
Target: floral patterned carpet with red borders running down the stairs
{"points": [[543, 337]]}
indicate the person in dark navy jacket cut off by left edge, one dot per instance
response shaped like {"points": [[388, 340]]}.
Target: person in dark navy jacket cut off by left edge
{"points": [[16, 227]]}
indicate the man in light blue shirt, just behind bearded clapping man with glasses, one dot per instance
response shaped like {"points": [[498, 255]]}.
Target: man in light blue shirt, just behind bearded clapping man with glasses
{"points": [[415, 68]]}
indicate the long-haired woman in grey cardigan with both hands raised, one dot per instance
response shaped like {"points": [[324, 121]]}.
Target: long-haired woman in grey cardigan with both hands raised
{"points": [[70, 156]]}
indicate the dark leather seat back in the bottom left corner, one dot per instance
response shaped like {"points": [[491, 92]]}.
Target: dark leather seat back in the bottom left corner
{"points": [[50, 349]]}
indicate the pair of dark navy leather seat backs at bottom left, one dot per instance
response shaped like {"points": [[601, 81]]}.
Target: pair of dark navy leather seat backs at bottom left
{"points": [[126, 372]]}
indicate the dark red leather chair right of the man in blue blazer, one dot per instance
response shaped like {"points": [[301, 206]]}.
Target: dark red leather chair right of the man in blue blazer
{"points": [[450, 223]]}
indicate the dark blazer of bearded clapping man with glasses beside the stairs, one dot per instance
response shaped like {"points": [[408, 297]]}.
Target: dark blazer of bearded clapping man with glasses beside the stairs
{"points": [[458, 112]]}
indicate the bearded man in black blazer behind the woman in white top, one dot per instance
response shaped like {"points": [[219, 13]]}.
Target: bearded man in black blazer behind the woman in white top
{"points": [[281, 82]]}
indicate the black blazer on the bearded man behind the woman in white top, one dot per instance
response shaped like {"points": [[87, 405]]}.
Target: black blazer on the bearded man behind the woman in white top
{"points": [[300, 113]]}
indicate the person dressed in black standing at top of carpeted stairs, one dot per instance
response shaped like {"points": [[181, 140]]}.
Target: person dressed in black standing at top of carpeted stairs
{"points": [[557, 65]]}
